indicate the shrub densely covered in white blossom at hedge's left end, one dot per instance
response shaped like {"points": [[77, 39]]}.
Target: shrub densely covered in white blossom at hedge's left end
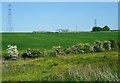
{"points": [[12, 52]]}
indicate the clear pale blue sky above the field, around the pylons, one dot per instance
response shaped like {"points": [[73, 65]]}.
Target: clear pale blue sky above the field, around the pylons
{"points": [[50, 16]]}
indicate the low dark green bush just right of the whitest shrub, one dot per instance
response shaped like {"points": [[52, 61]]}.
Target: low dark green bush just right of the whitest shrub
{"points": [[32, 53]]}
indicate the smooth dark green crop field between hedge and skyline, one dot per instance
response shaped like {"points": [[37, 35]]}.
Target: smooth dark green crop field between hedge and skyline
{"points": [[45, 41]]}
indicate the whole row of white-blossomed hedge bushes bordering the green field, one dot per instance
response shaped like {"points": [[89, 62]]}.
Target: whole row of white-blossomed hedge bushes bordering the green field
{"points": [[97, 46]]}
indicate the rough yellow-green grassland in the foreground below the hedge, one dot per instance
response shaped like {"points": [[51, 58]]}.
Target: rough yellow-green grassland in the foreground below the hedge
{"points": [[80, 67]]}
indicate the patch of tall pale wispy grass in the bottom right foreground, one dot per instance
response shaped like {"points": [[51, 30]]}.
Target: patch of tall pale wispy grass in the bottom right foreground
{"points": [[89, 72]]}
